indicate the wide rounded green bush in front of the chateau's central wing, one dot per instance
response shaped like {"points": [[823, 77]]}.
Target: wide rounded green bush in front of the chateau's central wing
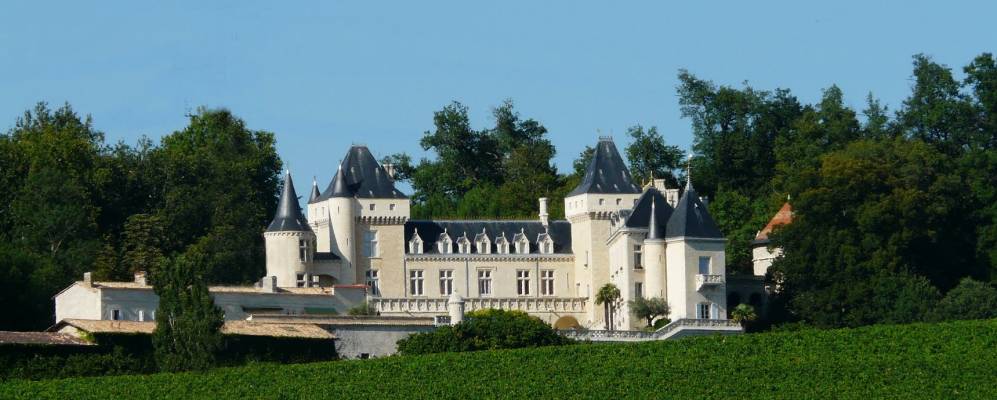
{"points": [[487, 329]]}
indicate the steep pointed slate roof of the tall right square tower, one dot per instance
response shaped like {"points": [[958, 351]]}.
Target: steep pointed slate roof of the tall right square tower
{"points": [[606, 173]]}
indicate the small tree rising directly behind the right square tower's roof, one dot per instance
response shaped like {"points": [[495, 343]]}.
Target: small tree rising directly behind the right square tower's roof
{"points": [[650, 157]]}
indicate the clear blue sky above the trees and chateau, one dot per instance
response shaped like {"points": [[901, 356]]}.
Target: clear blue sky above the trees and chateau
{"points": [[323, 75]]}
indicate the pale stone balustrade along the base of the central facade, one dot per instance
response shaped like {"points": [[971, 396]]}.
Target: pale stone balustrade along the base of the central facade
{"points": [[439, 305]]}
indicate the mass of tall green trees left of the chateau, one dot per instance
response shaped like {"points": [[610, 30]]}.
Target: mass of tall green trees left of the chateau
{"points": [[72, 203]]}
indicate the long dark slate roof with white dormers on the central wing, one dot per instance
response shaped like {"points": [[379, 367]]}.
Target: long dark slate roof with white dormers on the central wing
{"points": [[431, 231]]}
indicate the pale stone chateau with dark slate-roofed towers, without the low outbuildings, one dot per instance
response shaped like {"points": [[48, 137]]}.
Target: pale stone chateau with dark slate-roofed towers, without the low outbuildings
{"points": [[651, 241]]}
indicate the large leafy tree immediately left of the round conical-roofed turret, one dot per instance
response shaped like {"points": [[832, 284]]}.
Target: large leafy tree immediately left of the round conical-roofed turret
{"points": [[220, 184]]}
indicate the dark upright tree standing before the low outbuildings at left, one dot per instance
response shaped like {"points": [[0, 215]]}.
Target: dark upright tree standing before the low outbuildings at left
{"points": [[188, 324]]}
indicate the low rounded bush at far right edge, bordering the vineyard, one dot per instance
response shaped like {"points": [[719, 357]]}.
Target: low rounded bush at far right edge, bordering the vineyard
{"points": [[972, 299]]}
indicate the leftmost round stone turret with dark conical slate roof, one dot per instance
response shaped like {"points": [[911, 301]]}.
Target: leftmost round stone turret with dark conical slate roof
{"points": [[290, 242]]}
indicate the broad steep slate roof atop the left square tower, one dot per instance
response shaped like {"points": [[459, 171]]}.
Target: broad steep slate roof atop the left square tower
{"points": [[360, 175]]}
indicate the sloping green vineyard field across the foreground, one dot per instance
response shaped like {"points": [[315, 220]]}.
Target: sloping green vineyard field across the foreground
{"points": [[948, 360]]}
